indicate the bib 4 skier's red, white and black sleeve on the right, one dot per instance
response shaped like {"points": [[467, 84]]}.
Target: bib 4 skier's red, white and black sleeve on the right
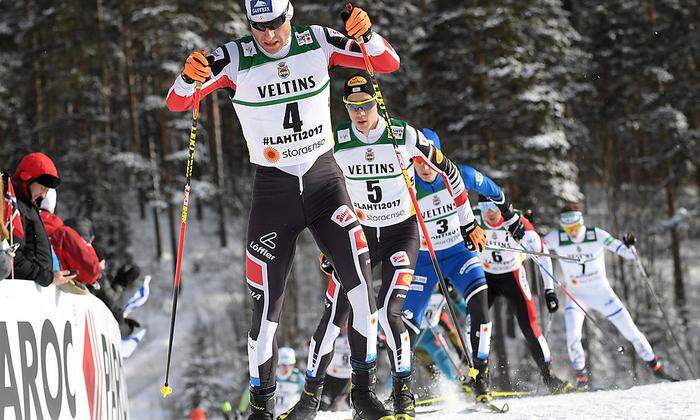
{"points": [[342, 51]]}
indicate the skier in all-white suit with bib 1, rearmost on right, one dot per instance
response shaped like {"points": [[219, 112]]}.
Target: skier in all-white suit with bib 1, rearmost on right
{"points": [[589, 285]]}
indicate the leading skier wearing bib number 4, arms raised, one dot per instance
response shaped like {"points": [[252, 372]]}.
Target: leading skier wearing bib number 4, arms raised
{"points": [[279, 84]]}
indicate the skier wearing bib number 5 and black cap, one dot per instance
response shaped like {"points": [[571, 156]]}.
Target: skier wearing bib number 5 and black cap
{"points": [[382, 202]]}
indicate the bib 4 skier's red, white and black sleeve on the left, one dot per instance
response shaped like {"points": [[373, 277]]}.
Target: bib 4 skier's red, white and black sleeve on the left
{"points": [[224, 70]]}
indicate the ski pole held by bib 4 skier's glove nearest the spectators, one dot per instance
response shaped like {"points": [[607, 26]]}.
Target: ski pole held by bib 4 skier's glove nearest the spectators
{"points": [[166, 389]]}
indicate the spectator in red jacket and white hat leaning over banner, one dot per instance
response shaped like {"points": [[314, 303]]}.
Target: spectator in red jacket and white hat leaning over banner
{"points": [[74, 253]]}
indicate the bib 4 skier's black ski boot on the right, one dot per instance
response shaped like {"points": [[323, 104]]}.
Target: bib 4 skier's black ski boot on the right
{"points": [[365, 404]]}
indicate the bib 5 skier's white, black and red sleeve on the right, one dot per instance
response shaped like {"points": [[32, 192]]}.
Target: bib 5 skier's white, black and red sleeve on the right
{"points": [[425, 151]]}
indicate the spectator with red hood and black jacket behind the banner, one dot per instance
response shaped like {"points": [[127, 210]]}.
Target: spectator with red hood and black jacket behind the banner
{"points": [[32, 179]]}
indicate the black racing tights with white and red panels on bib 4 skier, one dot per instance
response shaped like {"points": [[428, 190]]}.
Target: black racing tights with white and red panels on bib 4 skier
{"points": [[282, 207]]}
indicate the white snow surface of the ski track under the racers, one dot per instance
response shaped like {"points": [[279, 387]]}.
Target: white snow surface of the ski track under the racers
{"points": [[671, 401]]}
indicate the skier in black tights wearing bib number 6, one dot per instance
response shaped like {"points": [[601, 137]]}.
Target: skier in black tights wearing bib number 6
{"points": [[506, 276]]}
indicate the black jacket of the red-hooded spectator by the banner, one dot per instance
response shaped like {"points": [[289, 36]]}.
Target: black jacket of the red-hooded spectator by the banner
{"points": [[33, 259]]}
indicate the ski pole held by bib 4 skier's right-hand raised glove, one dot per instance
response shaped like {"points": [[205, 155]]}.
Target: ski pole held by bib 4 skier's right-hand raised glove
{"points": [[385, 115]]}
